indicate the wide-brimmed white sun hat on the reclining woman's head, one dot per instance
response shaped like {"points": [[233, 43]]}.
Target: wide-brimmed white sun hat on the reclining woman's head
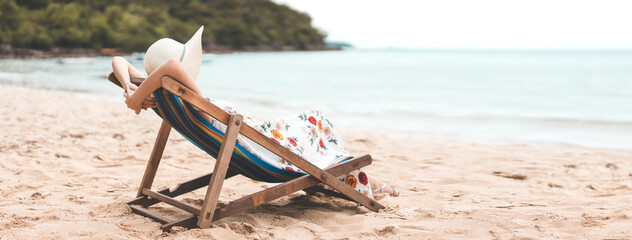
{"points": [[190, 53]]}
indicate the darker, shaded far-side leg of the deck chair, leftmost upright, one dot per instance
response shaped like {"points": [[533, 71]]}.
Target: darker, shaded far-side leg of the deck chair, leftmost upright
{"points": [[154, 158]]}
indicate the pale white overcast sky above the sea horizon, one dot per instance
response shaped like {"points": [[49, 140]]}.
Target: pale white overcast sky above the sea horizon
{"points": [[538, 24]]}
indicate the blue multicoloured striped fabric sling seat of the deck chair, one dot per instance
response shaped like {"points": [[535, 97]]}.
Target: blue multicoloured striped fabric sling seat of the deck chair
{"points": [[190, 124]]}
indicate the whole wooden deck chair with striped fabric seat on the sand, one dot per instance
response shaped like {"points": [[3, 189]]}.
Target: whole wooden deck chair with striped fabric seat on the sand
{"points": [[176, 105]]}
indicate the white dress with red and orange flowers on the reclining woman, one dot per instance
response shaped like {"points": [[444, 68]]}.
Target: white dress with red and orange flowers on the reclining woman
{"points": [[309, 135]]}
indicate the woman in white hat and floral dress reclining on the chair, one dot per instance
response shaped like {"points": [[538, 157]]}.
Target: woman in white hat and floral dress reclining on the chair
{"points": [[309, 134]]}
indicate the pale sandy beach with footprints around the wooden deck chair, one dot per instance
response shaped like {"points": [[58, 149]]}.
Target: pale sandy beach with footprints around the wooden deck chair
{"points": [[68, 164]]}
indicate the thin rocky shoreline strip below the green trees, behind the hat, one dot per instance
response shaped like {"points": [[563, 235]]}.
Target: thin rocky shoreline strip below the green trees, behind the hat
{"points": [[26, 53]]}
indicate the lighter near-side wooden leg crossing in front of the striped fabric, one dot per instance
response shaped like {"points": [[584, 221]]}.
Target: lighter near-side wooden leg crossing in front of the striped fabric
{"points": [[219, 172]]}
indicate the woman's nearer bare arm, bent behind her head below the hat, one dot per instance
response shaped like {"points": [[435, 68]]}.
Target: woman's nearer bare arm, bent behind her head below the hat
{"points": [[172, 68]]}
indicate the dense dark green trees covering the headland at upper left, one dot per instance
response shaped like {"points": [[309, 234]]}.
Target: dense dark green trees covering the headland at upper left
{"points": [[134, 25]]}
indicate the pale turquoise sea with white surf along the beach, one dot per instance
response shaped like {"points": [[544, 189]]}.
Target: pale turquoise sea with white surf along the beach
{"points": [[558, 97]]}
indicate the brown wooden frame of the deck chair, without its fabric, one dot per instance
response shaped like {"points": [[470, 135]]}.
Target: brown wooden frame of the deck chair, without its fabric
{"points": [[202, 217]]}
